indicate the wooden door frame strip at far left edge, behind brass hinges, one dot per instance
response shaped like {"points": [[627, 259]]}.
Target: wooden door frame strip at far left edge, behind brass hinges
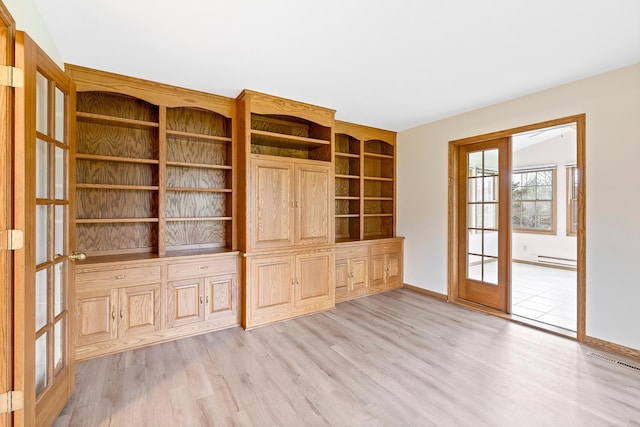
{"points": [[7, 28]]}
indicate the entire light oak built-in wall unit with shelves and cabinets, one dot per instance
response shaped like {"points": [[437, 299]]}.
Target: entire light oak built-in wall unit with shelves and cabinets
{"points": [[199, 212]]}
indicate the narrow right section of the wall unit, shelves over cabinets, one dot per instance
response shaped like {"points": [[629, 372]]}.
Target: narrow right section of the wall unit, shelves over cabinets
{"points": [[368, 256]]}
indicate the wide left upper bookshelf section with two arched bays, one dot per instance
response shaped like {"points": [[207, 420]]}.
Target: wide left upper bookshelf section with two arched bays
{"points": [[154, 167]]}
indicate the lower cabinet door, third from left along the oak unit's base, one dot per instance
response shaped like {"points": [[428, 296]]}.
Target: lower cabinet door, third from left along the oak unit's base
{"points": [[185, 300]]}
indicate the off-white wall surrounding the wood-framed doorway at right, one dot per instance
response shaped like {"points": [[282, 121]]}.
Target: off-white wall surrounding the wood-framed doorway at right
{"points": [[611, 102]]}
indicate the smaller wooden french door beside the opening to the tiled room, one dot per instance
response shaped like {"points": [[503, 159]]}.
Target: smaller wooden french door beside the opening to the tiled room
{"points": [[484, 224]]}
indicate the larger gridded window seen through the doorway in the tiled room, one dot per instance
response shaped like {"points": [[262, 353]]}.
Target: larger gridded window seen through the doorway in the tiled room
{"points": [[533, 200]]}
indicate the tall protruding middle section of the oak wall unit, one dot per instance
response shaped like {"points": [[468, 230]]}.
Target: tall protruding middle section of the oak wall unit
{"points": [[286, 234]]}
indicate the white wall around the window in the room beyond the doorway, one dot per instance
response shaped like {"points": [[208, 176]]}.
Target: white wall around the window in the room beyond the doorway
{"points": [[558, 150]]}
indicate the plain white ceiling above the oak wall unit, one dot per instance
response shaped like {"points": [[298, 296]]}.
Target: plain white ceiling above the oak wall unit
{"points": [[390, 64]]}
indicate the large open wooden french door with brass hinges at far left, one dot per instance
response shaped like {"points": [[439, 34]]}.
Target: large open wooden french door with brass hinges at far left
{"points": [[43, 208]]}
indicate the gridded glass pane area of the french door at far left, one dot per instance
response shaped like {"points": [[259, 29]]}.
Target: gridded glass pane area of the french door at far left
{"points": [[52, 225]]}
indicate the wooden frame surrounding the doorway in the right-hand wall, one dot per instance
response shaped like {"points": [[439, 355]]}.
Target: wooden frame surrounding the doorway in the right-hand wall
{"points": [[453, 220]]}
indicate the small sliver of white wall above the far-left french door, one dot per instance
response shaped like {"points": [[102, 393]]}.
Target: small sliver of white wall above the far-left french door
{"points": [[29, 20]]}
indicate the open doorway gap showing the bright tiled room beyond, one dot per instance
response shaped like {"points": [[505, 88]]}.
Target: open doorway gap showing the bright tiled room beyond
{"points": [[544, 183]]}
